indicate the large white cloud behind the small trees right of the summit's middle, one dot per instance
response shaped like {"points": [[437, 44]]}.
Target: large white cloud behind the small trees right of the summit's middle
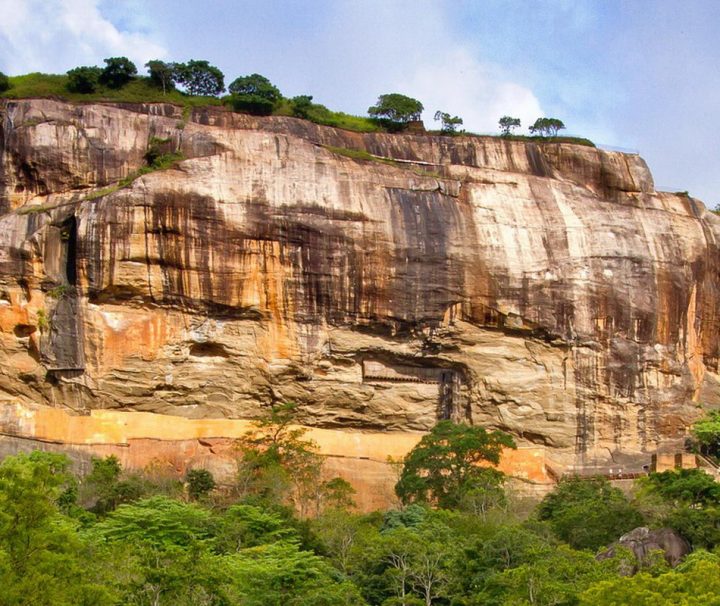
{"points": [[361, 50]]}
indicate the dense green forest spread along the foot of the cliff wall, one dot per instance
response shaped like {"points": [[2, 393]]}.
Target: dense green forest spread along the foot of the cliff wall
{"points": [[282, 533]]}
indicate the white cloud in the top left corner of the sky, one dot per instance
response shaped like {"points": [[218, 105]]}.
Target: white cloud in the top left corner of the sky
{"points": [[56, 35]]}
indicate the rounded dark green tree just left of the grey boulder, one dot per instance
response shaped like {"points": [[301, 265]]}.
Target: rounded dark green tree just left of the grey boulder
{"points": [[588, 513]]}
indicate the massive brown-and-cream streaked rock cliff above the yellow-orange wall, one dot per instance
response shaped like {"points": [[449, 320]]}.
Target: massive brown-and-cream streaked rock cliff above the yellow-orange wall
{"points": [[379, 281]]}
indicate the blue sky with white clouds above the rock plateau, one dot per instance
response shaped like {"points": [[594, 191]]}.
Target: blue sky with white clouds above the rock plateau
{"points": [[638, 75]]}
